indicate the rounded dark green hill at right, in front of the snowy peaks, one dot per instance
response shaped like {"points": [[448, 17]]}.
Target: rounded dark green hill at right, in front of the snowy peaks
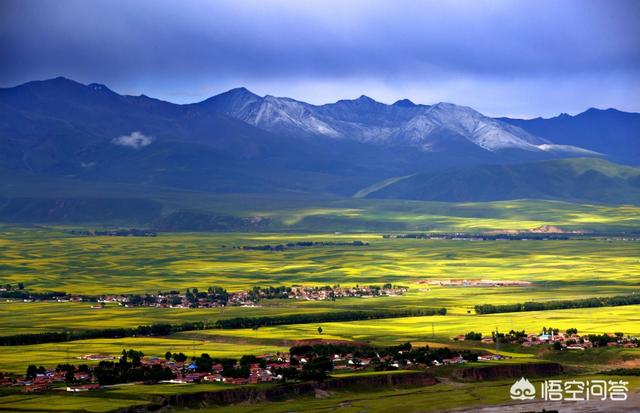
{"points": [[577, 180]]}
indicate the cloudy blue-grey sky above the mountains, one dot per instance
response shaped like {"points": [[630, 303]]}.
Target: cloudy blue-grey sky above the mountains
{"points": [[517, 58]]}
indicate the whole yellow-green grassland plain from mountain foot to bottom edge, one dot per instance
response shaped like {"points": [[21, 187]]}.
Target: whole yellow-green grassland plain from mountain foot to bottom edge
{"points": [[49, 258]]}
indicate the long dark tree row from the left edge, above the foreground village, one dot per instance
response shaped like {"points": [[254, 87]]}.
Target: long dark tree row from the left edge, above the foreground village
{"points": [[162, 329]]}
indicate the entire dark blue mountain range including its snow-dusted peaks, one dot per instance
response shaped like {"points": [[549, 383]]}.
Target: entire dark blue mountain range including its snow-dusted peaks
{"points": [[240, 142]]}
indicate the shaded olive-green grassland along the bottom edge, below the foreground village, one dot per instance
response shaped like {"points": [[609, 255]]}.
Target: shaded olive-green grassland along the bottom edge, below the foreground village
{"points": [[444, 396]]}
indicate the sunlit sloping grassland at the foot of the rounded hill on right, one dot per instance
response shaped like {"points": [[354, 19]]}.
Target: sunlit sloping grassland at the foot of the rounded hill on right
{"points": [[367, 214]]}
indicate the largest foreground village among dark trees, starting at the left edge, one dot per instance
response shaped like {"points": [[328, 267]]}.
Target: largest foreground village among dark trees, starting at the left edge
{"points": [[313, 360]]}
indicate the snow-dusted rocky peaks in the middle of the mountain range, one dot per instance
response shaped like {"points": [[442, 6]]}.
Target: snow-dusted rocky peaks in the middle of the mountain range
{"points": [[432, 128]]}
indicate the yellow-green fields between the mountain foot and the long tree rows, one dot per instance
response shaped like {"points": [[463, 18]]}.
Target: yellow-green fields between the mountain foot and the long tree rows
{"points": [[51, 259]]}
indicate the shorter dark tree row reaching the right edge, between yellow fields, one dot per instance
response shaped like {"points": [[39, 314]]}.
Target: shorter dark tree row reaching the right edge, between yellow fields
{"points": [[560, 304]]}
